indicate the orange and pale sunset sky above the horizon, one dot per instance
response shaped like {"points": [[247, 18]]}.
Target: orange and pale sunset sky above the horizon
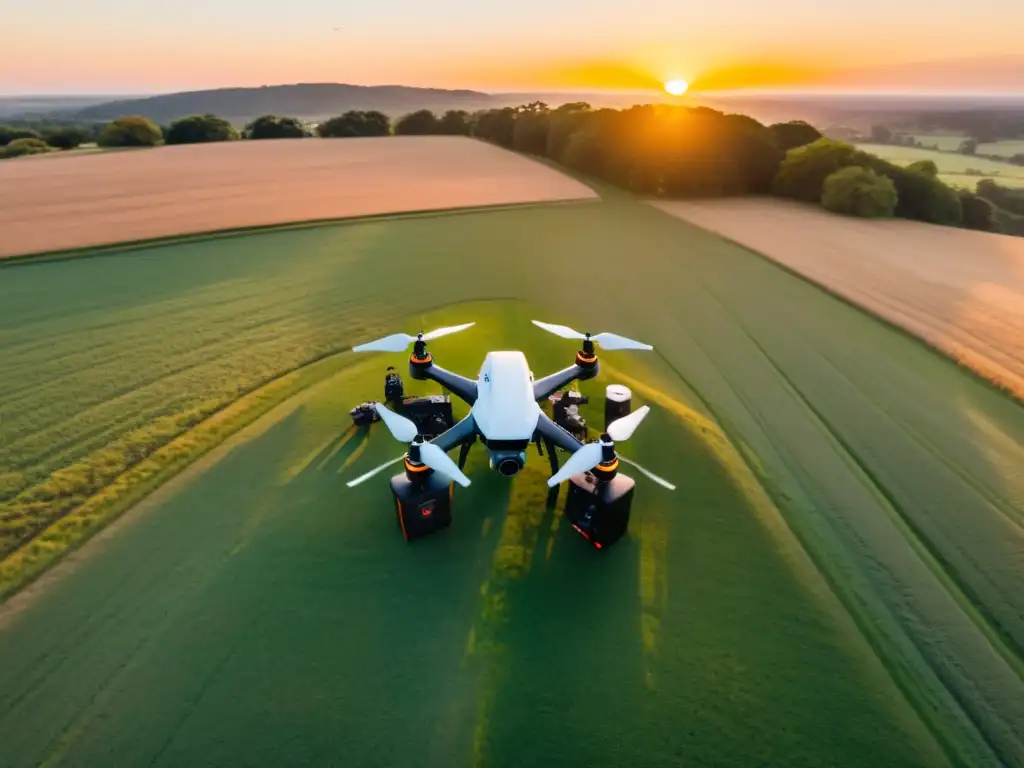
{"points": [[127, 48]]}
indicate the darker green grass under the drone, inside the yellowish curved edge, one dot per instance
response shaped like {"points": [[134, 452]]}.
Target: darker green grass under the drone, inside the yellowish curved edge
{"points": [[251, 578]]}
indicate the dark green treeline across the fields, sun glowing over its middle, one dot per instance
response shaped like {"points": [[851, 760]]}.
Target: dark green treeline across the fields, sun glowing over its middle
{"points": [[653, 150]]}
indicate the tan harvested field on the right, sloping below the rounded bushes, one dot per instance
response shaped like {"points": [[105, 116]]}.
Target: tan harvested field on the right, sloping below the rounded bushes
{"points": [[961, 291]]}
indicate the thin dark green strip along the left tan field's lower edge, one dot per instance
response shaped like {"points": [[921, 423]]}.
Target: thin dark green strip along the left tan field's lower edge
{"points": [[37, 258]]}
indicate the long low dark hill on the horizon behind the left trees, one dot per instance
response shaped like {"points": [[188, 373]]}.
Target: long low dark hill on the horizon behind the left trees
{"points": [[308, 101]]}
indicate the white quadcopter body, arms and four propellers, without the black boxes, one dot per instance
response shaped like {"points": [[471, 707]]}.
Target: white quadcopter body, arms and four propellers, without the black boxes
{"points": [[505, 410]]}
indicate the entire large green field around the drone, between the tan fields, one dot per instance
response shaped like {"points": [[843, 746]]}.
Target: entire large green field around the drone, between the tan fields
{"points": [[836, 582]]}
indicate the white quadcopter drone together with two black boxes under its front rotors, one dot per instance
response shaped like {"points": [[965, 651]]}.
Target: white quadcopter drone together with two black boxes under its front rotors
{"points": [[505, 415]]}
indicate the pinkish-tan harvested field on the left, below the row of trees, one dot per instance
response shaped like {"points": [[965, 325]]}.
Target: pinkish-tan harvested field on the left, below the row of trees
{"points": [[97, 199]]}
